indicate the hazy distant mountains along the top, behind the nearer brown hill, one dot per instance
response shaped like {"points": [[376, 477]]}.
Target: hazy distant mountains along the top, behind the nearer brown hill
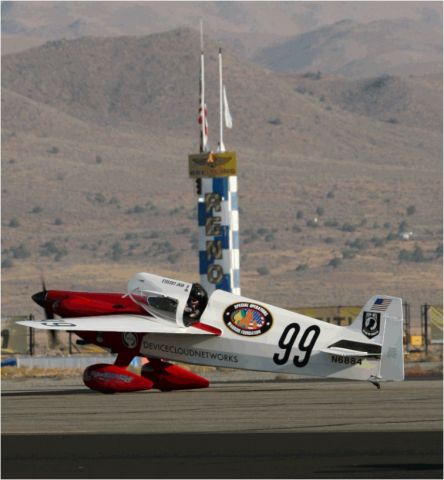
{"points": [[399, 34]]}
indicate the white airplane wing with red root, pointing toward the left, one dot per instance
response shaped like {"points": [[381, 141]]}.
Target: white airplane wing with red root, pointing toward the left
{"points": [[117, 323]]}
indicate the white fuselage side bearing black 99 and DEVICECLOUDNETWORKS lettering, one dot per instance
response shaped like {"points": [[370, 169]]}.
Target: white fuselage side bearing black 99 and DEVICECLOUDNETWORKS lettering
{"points": [[281, 341]]}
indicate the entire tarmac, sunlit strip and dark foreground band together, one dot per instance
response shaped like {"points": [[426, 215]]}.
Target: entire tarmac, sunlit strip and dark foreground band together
{"points": [[299, 429]]}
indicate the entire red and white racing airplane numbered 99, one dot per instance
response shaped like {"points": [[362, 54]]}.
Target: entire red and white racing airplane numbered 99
{"points": [[165, 320]]}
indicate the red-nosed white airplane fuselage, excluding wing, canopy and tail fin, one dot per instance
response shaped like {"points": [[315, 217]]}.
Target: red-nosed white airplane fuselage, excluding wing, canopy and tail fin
{"points": [[244, 334]]}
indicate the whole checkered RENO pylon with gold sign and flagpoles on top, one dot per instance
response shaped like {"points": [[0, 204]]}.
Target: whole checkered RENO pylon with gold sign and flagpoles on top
{"points": [[218, 214]]}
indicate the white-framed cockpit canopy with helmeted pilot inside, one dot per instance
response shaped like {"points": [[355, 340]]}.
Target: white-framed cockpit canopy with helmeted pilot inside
{"points": [[175, 301]]}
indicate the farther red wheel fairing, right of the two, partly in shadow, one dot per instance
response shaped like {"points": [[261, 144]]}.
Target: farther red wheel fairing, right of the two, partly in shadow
{"points": [[166, 376]]}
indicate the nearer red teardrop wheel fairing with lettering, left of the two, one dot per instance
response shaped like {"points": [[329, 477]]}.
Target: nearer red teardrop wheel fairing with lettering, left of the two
{"points": [[108, 378]]}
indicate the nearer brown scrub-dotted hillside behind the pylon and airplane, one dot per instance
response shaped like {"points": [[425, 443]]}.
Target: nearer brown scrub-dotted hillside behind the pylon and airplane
{"points": [[95, 138]]}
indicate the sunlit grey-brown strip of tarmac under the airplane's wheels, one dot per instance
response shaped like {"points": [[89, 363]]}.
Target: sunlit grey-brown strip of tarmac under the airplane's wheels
{"points": [[52, 406]]}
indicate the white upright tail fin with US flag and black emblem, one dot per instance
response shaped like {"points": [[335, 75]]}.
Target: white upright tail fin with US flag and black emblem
{"points": [[381, 322]]}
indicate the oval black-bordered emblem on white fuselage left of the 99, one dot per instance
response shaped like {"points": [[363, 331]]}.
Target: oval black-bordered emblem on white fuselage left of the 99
{"points": [[248, 319]]}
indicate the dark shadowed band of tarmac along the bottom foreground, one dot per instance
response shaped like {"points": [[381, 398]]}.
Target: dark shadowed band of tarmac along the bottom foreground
{"points": [[290, 455]]}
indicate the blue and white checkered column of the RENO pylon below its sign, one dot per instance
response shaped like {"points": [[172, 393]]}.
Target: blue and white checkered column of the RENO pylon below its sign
{"points": [[228, 220]]}
